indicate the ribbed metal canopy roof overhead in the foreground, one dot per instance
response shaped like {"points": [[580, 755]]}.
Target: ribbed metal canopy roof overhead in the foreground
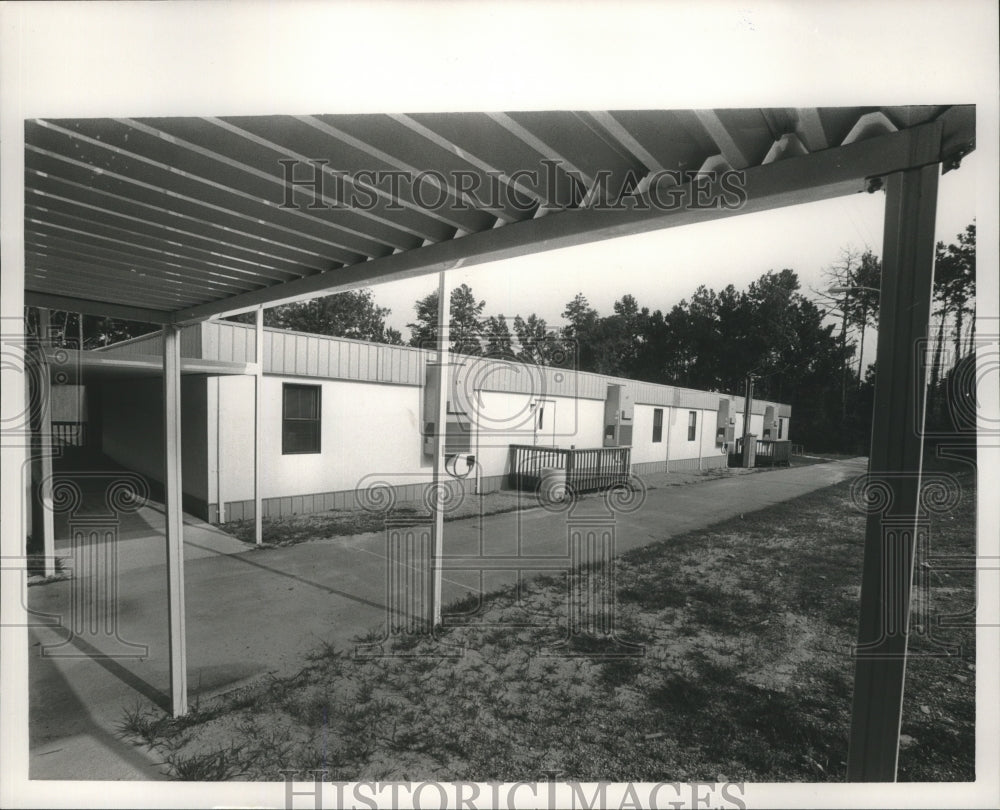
{"points": [[171, 220]]}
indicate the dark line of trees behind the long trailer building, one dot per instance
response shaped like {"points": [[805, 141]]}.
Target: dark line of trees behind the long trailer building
{"points": [[804, 349]]}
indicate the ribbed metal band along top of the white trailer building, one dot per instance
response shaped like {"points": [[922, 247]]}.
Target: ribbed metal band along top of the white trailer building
{"points": [[299, 354]]}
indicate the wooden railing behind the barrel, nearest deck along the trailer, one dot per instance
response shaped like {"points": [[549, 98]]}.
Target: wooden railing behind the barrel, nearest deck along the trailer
{"points": [[587, 470]]}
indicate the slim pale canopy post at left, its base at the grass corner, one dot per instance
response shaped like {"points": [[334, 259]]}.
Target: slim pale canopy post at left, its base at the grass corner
{"points": [[174, 512]]}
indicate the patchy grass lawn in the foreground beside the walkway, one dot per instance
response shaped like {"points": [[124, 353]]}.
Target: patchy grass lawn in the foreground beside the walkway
{"points": [[744, 672]]}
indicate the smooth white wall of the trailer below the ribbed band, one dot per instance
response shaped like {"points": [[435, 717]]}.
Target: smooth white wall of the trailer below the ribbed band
{"points": [[371, 431]]}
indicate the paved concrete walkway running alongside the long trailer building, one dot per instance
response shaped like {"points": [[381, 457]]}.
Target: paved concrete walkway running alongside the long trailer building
{"points": [[258, 612]]}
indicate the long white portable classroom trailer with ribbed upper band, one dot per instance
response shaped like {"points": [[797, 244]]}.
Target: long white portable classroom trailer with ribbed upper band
{"points": [[338, 415]]}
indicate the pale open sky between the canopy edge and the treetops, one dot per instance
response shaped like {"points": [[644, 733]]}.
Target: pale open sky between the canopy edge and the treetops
{"points": [[662, 267]]}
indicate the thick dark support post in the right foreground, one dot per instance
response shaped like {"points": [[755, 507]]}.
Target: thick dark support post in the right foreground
{"points": [[895, 470]]}
